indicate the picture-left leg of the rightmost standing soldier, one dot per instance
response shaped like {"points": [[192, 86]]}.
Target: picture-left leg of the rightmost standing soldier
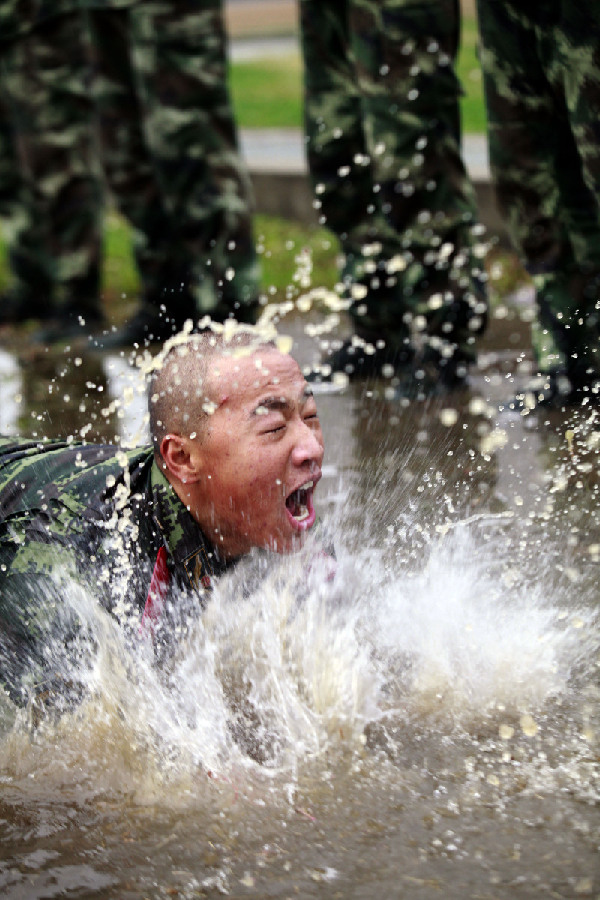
{"points": [[536, 166]]}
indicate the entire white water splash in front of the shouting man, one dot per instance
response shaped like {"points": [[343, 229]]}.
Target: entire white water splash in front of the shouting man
{"points": [[294, 663]]}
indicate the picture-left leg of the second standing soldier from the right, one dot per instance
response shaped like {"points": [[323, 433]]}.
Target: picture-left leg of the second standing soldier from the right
{"points": [[347, 197]]}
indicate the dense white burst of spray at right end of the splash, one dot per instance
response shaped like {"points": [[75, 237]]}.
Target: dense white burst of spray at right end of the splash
{"points": [[476, 635]]}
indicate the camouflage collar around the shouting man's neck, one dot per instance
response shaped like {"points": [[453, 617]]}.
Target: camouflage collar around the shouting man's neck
{"points": [[186, 544]]}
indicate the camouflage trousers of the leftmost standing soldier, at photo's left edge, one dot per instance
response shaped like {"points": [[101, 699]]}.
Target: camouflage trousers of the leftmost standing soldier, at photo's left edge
{"points": [[50, 181]]}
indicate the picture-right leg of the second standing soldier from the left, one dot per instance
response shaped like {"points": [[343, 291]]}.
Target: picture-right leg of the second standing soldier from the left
{"points": [[182, 65]]}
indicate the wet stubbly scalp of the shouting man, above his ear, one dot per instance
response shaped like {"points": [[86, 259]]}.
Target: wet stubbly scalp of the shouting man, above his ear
{"points": [[181, 390]]}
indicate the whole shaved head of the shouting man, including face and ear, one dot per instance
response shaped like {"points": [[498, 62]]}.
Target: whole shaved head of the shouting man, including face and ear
{"points": [[237, 436]]}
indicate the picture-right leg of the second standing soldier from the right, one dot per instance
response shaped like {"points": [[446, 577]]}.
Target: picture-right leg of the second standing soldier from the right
{"points": [[405, 53]]}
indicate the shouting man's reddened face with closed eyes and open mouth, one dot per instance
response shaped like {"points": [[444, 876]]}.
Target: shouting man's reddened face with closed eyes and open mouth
{"points": [[260, 456]]}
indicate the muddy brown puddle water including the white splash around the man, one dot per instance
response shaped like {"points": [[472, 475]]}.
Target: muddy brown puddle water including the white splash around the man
{"points": [[423, 724]]}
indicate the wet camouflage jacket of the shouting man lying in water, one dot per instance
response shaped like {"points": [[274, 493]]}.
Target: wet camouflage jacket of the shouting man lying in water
{"points": [[106, 518]]}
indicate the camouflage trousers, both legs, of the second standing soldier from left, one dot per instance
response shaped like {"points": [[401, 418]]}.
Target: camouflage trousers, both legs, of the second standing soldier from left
{"points": [[170, 152]]}
